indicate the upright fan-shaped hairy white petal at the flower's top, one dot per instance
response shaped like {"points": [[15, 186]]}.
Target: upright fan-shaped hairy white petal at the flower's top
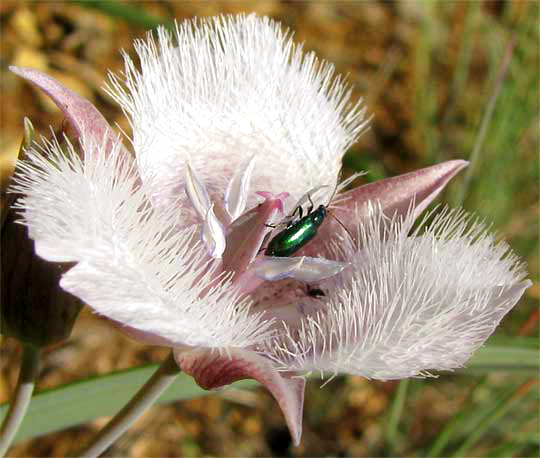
{"points": [[220, 90]]}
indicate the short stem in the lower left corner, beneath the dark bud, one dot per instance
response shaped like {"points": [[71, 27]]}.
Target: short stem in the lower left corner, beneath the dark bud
{"points": [[22, 396]]}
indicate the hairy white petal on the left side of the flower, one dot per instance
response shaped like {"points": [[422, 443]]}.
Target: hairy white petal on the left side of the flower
{"points": [[134, 264]]}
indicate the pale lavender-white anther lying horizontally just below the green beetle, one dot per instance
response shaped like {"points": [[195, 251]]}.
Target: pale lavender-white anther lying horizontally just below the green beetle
{"points": [[302, 268]]}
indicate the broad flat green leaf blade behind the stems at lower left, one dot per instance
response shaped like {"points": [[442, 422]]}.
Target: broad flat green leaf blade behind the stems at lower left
{"points": [[85, 400]]}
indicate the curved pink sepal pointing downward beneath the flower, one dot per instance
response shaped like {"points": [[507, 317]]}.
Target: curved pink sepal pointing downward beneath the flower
{"points": [[210, 369]]}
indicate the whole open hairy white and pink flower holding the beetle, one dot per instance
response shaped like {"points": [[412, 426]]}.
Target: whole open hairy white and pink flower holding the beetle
{"points": [[234, 129]]}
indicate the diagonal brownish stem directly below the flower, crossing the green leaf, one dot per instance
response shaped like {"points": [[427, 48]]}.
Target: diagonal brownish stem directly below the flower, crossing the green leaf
{"points": [[145, 397]]}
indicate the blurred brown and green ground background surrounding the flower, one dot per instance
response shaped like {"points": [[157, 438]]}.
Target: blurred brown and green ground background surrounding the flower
{"points": [[428, 72]]}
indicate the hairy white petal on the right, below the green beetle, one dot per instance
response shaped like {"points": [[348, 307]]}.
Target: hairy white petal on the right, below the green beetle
{"points": [[412, 303]]}
